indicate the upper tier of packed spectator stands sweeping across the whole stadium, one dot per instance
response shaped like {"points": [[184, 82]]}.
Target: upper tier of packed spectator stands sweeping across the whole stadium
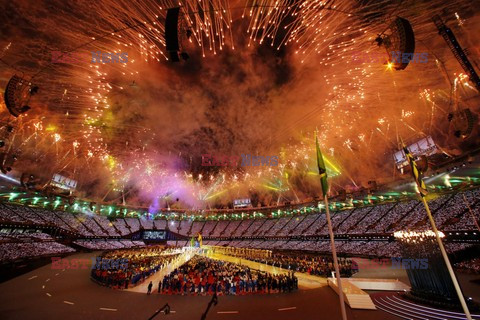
{"points": [[450, 212]]}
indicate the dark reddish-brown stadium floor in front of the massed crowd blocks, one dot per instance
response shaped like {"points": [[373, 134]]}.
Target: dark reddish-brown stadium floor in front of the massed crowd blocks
{"points": [[45, 293]]}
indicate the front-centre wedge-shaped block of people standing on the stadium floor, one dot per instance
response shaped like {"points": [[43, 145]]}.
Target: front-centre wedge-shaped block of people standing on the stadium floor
{"points": [[202, 275]]}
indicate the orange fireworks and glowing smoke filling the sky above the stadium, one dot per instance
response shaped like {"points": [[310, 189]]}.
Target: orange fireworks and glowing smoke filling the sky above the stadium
{"points": [[142, 124]]}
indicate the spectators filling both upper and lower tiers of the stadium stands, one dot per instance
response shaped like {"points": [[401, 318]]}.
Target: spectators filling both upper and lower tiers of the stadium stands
{"points": [[450, 211]]}
